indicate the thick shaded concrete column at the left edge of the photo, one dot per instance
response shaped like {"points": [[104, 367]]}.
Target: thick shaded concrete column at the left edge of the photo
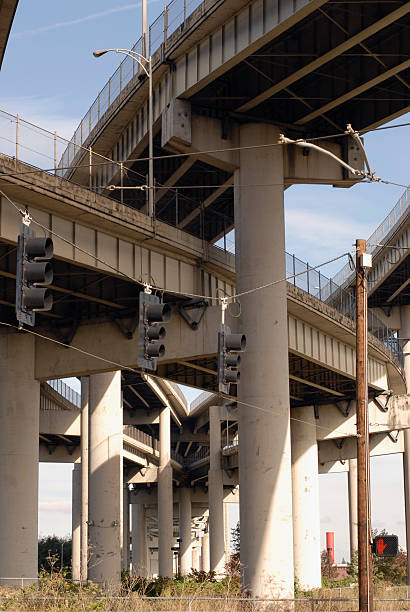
{"points": [[19, 434]]}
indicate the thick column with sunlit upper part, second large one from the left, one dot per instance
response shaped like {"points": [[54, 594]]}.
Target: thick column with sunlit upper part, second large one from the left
{"points": [[105, 478]]}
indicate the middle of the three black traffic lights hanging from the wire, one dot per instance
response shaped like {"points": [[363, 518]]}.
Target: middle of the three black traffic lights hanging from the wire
{"points": [[150, 332]]}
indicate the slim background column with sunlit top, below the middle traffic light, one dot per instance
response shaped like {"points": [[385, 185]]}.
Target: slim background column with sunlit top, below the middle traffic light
{"points": [[165, 501]]}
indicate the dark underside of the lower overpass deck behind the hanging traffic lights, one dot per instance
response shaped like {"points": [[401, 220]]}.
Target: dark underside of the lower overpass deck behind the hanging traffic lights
{"points": [[83, 296]]}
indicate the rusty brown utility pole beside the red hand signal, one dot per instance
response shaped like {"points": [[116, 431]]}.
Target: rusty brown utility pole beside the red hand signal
{"points": [[363, 451]]}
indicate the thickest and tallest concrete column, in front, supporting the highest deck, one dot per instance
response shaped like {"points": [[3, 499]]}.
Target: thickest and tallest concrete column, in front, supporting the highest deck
{"points": [[264, 431]]}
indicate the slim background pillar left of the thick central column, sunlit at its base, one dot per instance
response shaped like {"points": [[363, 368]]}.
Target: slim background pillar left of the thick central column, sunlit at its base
{"points": [[215, 493]]}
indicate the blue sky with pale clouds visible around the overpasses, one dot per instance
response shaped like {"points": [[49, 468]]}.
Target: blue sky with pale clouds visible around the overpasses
{"points": [[50, 78]]}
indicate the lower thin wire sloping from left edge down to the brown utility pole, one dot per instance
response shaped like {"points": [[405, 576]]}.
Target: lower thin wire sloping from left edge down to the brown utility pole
{"points": [[135, 371]]}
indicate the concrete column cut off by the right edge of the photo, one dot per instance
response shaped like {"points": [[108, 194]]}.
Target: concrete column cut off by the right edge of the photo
{"points": [[405, 333]]}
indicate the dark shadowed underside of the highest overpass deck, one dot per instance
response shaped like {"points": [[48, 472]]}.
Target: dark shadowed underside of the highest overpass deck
{"points": [[347, 62]]}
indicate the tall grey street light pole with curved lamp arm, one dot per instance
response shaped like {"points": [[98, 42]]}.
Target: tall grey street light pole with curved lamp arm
{"points": [[146, 65]]}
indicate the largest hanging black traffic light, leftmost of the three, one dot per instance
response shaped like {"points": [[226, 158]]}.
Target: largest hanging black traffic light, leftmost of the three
{"points": [[33, 271]]}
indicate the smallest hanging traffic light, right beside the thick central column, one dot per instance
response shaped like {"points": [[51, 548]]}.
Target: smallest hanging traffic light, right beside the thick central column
{"points": [[229, 345]]}
